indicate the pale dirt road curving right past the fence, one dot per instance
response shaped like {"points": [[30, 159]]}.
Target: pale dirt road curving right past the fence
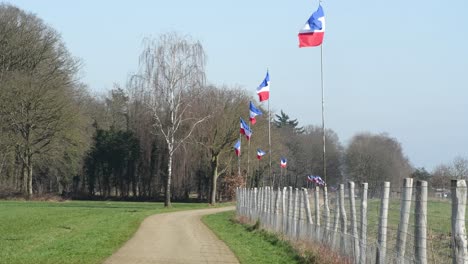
{"points": [[178, 237]]}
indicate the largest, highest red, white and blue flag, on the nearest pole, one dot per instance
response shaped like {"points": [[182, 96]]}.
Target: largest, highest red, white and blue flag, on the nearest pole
{"points": [[312, 33]]}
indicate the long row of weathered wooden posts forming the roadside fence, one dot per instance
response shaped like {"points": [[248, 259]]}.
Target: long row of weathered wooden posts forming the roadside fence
{"points": [[393, 225]]}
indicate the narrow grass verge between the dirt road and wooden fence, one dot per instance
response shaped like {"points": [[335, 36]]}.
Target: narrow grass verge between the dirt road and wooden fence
{"points": [[248, 244]]}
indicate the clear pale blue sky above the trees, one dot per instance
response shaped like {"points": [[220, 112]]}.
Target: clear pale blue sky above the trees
{"points": [[399, 67]]}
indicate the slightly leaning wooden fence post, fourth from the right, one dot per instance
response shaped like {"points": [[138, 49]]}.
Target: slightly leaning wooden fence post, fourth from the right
{"points": [[383, 218]]}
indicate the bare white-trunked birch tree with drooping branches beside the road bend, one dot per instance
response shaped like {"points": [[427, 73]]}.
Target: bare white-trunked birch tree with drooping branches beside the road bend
{"points": [[172, 67]]}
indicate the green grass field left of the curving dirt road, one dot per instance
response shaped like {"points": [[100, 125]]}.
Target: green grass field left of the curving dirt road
{"points": [[72, 231]]}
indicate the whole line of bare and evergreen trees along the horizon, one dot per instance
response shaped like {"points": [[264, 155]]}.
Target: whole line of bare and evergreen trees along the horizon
{"points": [[164, 134]]}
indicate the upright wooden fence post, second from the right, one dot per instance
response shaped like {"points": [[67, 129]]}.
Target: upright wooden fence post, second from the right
{"points": [[420, 223]]}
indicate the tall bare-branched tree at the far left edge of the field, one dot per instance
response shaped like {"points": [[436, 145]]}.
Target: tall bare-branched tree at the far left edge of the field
{"points": [[36, 88]]}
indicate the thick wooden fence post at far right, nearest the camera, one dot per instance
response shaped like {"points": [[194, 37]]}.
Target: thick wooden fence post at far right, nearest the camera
{"points": [[459, 242]]}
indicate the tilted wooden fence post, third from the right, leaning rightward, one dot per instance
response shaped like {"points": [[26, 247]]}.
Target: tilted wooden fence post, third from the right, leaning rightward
{"points": [[406, 195]]}
